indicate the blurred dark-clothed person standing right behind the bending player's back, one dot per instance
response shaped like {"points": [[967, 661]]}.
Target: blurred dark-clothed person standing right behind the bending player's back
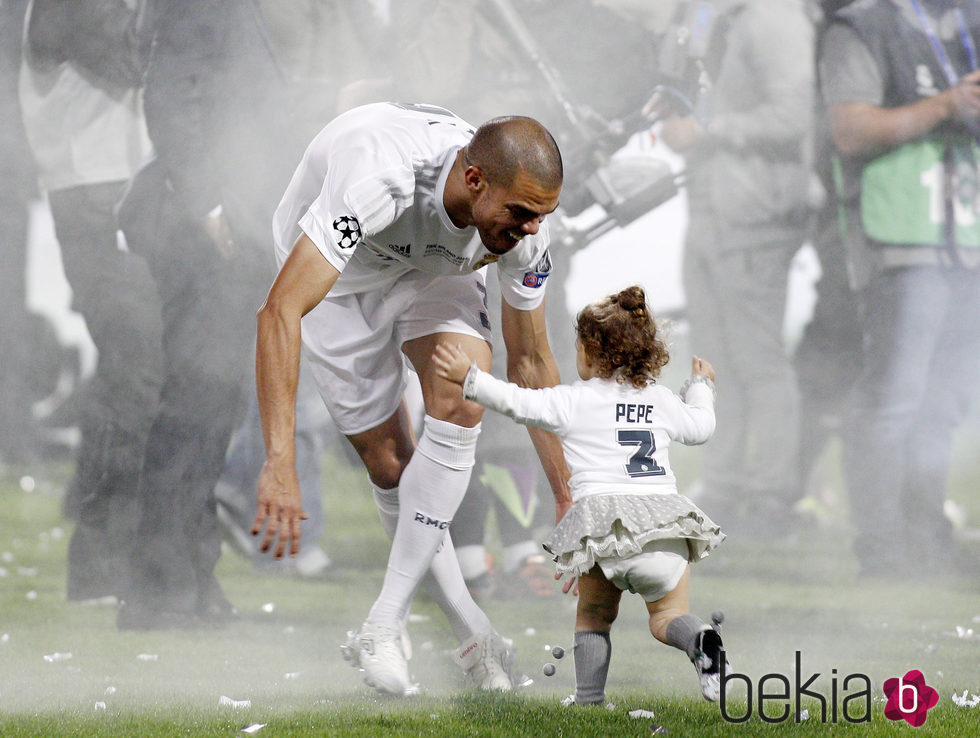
{"points": [[199, 212]]}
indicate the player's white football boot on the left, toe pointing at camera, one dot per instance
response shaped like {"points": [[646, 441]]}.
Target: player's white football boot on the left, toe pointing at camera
{"points": [[382, 652]]}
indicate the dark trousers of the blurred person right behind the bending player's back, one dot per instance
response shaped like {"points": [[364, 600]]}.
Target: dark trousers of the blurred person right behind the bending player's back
{"points": [[208, 303]]}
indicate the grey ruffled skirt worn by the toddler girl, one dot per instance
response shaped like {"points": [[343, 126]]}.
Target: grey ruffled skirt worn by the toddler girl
{"points": [[611, 525]]}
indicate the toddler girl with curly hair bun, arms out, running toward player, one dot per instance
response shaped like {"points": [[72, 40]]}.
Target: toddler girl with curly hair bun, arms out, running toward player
{"points": [[628, 527]]}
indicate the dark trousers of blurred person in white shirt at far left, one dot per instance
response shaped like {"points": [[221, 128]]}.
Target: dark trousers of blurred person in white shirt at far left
{"points": [[114, 292]]}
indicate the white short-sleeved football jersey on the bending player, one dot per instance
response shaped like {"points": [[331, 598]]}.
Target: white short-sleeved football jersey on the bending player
{"points": [[369, 193]]}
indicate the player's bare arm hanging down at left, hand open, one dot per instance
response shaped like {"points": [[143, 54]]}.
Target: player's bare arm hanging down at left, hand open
{"points": [[304, 280]]}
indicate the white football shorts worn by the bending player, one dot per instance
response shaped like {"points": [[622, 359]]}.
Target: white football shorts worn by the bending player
{"points": [[353, 342]]}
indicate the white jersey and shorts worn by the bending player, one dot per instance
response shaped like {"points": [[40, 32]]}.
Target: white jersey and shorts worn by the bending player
{"points": [[369, 193]]}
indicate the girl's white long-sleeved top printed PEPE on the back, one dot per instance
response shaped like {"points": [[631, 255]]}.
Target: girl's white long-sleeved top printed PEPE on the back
{"points": [[615, 436]]}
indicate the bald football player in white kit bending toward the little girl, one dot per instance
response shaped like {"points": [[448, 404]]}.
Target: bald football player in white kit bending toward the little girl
{"points": [[382, 236]]}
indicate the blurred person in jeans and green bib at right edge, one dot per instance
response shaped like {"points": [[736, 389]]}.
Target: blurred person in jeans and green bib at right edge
{"points": [[901, 81]]}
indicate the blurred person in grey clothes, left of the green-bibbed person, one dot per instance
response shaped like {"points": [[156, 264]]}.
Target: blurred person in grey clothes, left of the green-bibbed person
{"points": [[745, 149]]}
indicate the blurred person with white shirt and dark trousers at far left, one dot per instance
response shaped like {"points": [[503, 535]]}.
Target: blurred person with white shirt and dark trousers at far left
{"points": [[80, 91]]}
